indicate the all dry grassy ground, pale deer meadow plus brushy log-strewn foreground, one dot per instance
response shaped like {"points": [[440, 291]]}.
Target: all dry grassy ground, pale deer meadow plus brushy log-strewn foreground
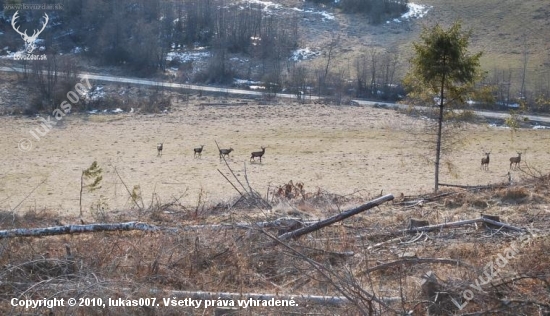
{"points": [[344, 155]]}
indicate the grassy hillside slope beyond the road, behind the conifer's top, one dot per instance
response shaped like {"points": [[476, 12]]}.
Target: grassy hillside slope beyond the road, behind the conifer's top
{"points": [[503, 30]]}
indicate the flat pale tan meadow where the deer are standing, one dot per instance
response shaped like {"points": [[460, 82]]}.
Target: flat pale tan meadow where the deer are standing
{"points": [[338, 149]]}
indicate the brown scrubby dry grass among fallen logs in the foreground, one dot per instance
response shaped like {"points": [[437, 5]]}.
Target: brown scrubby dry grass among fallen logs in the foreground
{"points": [[129, 264]]}
